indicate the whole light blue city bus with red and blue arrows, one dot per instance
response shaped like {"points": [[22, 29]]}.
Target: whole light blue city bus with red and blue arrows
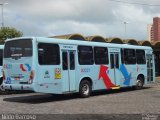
{"points": [[57, 66]]}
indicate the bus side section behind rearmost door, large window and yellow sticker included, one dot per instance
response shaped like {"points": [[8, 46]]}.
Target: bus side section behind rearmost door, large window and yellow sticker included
{"points": [[48, 77]]}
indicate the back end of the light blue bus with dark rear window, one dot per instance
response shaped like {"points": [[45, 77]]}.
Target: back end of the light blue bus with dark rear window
{"points": [[17, 64]]}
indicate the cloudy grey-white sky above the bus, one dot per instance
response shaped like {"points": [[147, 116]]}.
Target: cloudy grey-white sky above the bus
{"points": [[87, 17]]}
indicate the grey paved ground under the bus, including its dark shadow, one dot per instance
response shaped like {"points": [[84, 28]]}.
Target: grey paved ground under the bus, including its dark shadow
{"points": [[125, 101]]}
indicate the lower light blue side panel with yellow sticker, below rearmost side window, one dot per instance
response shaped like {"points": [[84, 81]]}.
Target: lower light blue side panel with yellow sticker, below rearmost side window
{"points": [[47, 82]]}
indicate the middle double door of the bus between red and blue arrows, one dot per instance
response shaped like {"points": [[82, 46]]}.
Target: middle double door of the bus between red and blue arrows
{"points": [[114, 66]]}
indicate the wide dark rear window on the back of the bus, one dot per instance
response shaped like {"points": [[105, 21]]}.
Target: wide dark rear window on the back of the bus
{"points": [[18, 48]]}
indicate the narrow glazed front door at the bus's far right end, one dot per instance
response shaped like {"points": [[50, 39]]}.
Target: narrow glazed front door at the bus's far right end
{"points": [[149, 68]]}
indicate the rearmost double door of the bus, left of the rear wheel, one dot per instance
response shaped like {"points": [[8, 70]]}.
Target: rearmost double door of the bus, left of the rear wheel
{"points": [[68, 67]]}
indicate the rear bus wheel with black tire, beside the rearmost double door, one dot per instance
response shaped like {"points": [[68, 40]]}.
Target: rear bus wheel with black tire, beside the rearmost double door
{"points": [[85, 89]]}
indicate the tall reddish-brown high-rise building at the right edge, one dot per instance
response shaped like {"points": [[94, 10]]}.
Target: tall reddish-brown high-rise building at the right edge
{"points": [[154, 30]]}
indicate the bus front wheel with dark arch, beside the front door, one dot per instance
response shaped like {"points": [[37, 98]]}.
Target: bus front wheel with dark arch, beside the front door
{"points": [[140, 81]]}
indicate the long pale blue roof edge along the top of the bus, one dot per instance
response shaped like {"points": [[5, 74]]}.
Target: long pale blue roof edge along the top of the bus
{"points": [[80, 42]]}
